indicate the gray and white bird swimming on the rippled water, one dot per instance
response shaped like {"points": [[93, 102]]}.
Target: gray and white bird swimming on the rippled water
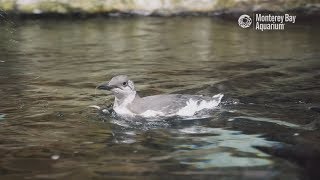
{"points": [[128, 103]]}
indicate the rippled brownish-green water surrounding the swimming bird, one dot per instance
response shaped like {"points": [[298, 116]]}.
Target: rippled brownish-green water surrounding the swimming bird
{"points": [[264, 128]]}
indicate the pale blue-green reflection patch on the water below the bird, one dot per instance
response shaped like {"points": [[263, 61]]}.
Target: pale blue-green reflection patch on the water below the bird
{"points": [[222, 148]]}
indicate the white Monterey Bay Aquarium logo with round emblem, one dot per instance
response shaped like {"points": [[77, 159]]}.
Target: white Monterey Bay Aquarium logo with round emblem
{"points": [[264, 22]]}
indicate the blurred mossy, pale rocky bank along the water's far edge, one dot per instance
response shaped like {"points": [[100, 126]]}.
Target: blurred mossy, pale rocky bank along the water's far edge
{"points": [[158, 7]]}
